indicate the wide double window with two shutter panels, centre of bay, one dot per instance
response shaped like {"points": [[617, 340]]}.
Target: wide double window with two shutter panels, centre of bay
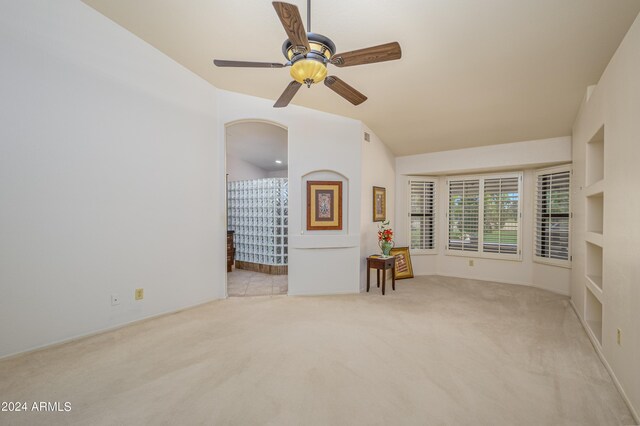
{"points": [[484, 216]]}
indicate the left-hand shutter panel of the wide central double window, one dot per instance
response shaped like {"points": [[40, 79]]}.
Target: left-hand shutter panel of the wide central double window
{"points": [[464, 198]]}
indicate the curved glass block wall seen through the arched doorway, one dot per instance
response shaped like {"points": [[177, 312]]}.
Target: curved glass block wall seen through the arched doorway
{"points": [[258, 213]]}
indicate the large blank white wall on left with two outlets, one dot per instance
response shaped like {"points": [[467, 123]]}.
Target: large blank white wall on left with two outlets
{"points": [[110, 177]]}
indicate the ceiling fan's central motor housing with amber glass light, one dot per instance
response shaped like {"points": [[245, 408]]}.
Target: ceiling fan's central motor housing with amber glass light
{"points": [[309, 67]]}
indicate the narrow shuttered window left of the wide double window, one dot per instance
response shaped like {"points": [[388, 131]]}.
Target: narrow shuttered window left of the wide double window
{"points": [[422, 214]]}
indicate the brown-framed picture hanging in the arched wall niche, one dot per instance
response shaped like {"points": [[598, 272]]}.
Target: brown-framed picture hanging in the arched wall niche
{"points": [[324, 205]]}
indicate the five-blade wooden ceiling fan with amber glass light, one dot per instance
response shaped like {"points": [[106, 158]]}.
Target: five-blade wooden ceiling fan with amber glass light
{"points": [[308, 55]]}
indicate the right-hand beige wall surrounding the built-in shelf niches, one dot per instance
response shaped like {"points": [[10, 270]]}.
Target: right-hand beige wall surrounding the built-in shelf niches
{"points": [[615, 102]]}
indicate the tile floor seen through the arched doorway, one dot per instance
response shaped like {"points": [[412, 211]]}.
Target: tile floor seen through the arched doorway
{"points": [[248, 283]]}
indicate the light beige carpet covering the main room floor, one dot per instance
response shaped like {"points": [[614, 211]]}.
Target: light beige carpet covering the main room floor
{"points": [[436, 351]]}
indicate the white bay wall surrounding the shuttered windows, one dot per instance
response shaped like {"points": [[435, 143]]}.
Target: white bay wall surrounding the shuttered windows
{"points": [[515, 156]]}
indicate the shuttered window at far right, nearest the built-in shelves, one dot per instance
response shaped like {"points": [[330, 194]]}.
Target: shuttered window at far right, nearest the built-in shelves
{"points": [[553, 215]]}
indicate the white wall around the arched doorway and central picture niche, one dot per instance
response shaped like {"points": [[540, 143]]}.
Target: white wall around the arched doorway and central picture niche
{"points": [[322, 262]]}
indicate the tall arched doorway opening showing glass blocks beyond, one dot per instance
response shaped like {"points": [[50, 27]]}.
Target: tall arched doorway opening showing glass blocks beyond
{"points": [[257, 208]]}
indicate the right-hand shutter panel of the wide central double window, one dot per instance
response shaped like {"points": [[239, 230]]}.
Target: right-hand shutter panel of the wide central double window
{"points": [[501, 215]]}
